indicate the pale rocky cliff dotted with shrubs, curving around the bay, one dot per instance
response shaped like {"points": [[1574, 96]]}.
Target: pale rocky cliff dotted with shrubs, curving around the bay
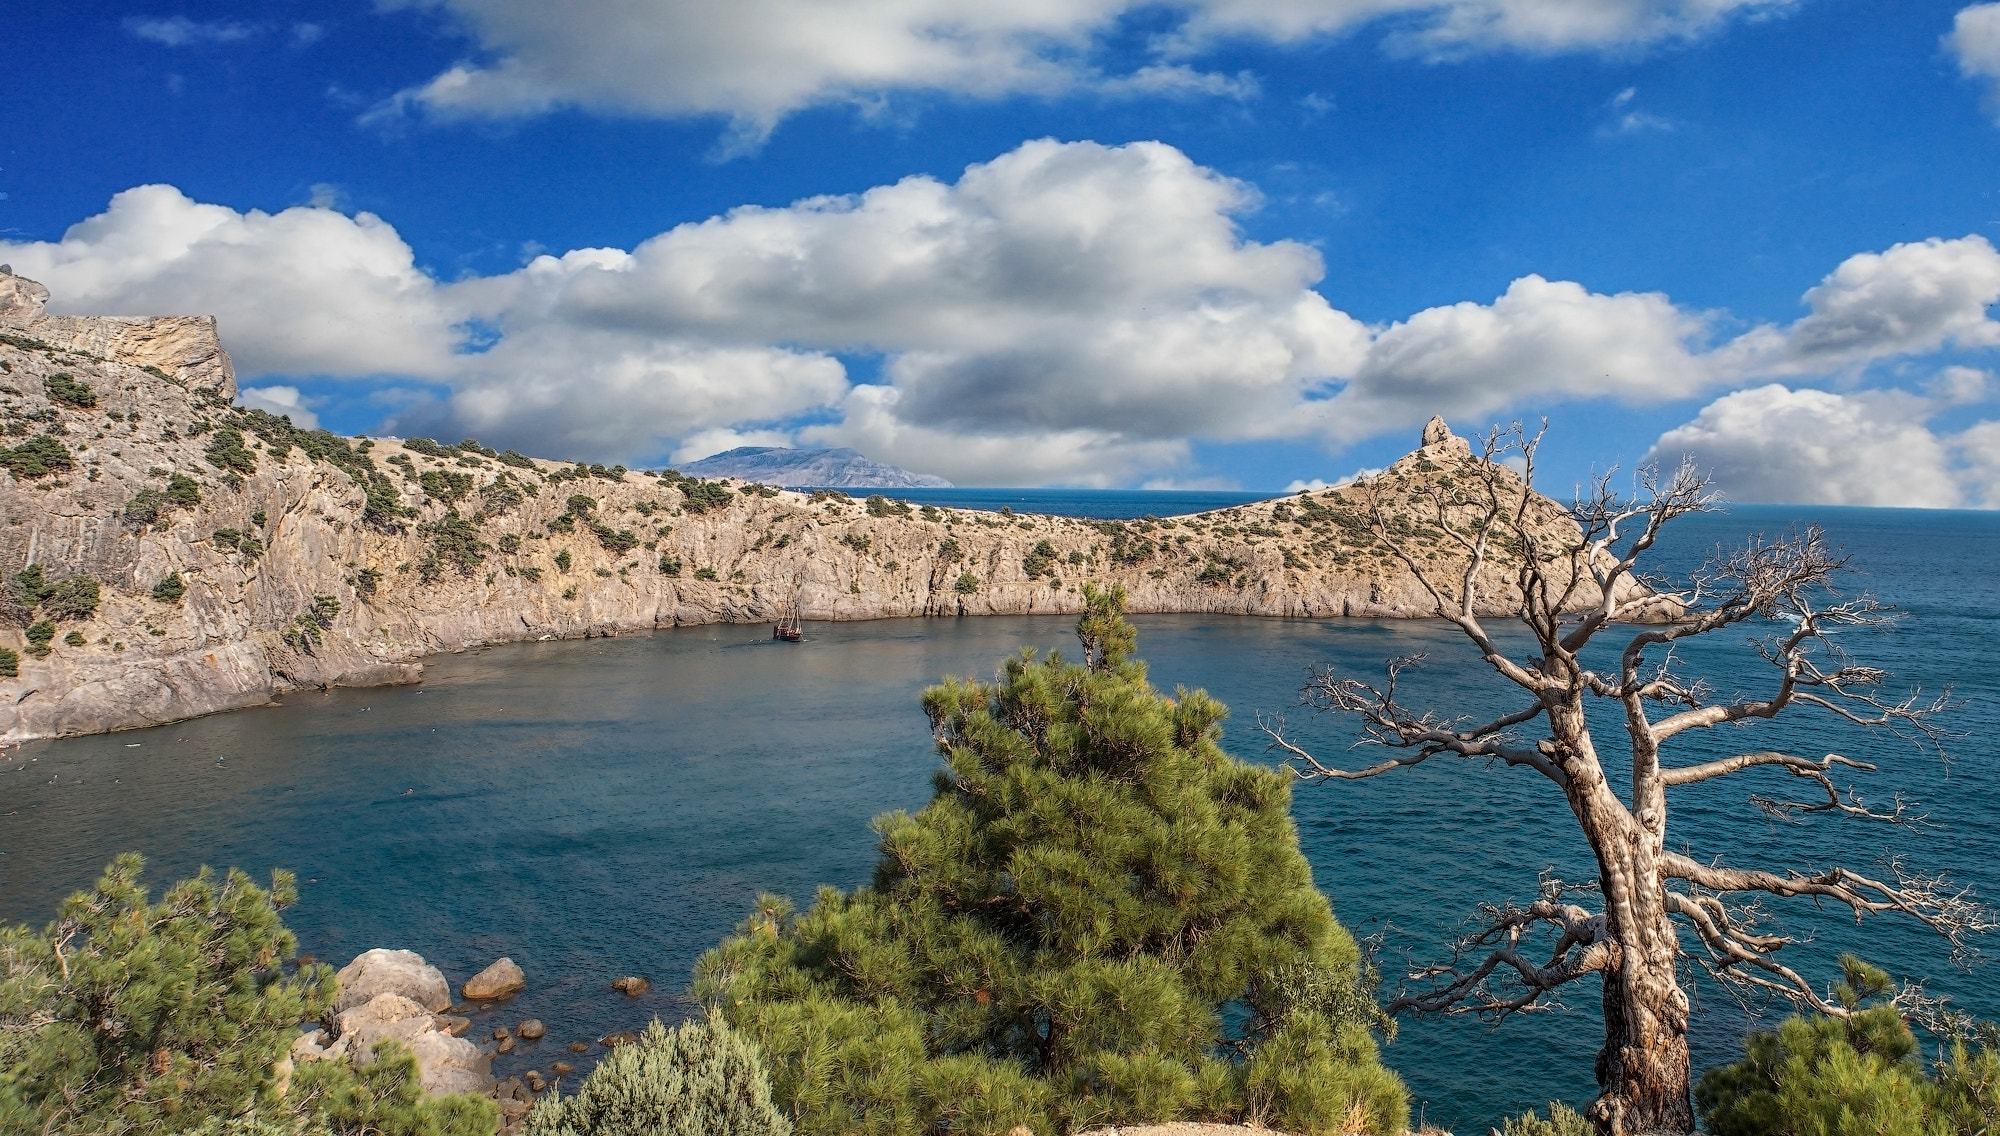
{"points": [[293, 577]]}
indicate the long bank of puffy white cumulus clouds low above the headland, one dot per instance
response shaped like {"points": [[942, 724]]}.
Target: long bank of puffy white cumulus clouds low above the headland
{"points": [[1065, 313]]}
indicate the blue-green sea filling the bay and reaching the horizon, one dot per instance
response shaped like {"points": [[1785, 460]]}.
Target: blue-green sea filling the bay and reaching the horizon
{"points": [[615, 807]]}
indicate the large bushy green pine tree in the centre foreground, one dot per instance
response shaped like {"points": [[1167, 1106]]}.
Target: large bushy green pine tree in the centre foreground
{"points": [[1101, 919]]}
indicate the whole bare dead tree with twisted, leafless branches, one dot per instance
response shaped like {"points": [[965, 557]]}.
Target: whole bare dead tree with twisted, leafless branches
{"points": [[1653, 907]]}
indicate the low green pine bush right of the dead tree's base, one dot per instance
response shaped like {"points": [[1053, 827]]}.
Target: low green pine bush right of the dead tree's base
{"points": [[1863, 1073]]}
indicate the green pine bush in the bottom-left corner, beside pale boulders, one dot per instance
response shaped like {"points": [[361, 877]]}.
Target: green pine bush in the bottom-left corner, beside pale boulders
{"points": [[131, 1017]]}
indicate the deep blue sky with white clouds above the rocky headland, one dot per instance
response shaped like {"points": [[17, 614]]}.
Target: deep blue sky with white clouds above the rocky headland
{"points": [[1243, 243]]}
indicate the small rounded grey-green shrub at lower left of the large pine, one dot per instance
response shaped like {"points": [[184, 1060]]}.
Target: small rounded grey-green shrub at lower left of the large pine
{"points": [[699, 1079]]}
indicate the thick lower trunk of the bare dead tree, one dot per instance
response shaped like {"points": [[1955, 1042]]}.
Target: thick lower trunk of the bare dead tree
{"points": [[1643, 1069]]}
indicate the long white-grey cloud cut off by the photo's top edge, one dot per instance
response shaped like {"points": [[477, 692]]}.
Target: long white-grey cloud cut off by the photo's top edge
{"points": [[757, 61]]}
